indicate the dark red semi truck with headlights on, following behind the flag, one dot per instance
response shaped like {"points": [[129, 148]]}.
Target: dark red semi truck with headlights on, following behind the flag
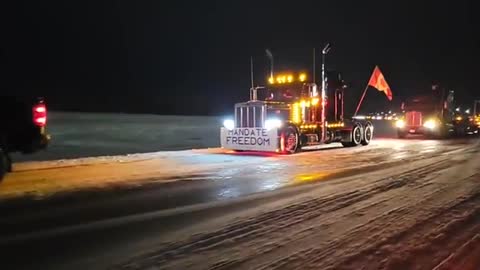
{"points": [[433, 114]]}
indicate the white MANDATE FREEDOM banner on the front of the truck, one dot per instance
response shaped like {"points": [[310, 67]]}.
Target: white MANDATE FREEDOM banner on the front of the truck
{"points": [[255, 139]]}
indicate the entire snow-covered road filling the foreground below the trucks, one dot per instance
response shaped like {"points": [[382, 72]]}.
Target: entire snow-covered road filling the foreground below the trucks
{"points": [[396, 204]]}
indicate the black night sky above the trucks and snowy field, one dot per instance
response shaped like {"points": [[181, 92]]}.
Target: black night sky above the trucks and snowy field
{"points": [[193, 57]]}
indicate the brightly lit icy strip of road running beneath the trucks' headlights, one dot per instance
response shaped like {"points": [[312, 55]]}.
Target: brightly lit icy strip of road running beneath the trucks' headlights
{"points": [[238, 174]]}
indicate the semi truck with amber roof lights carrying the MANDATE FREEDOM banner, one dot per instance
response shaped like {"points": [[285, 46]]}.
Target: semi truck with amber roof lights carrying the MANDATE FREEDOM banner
{"points": [[292, 113]]}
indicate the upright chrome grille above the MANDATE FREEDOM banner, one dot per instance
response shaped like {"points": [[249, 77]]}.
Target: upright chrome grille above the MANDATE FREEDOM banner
{"points": [[249, 115]]}
